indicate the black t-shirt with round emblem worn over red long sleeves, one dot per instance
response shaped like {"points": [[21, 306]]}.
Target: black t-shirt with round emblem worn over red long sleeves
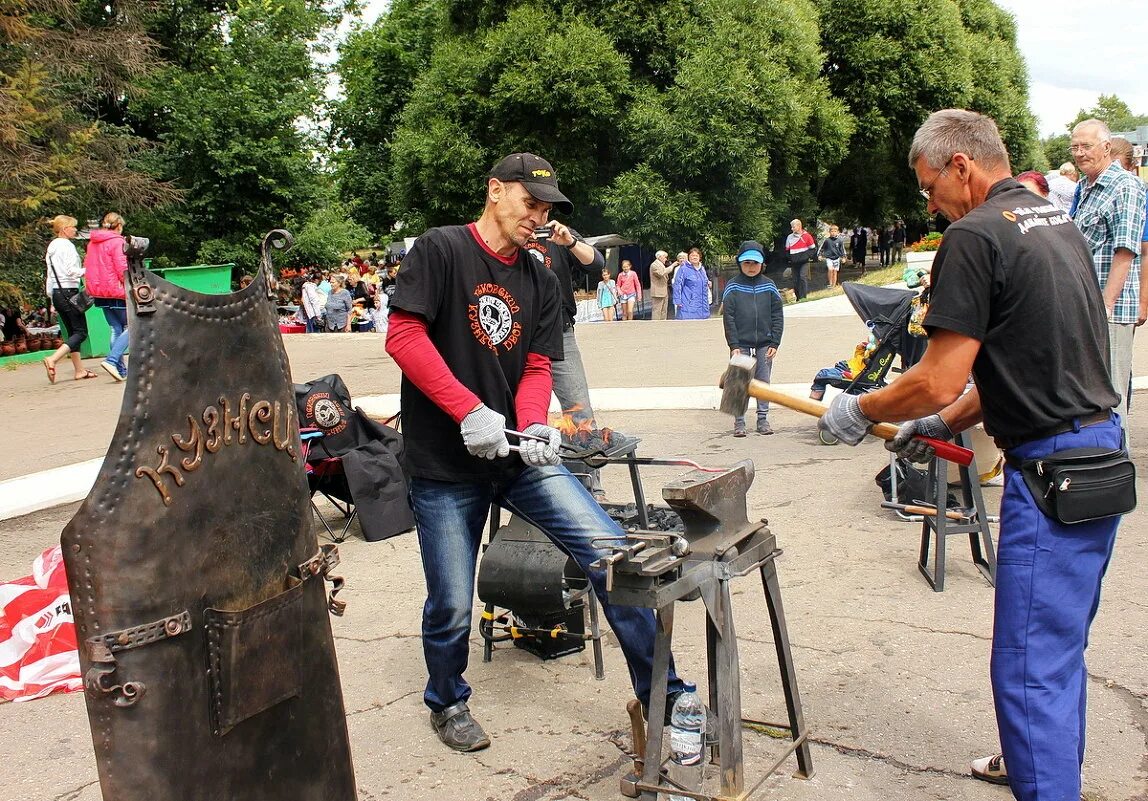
{"points": [[484, 317]]}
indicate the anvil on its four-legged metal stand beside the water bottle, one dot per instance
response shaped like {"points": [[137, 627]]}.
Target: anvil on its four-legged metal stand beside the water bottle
{"points": [[724, 546]]}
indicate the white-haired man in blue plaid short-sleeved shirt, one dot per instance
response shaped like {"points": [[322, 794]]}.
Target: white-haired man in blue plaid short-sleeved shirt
{"points": [[1111, 215]]}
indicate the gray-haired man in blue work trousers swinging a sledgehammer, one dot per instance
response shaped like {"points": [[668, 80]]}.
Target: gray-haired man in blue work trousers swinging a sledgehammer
{"points": [[1042, 387]]}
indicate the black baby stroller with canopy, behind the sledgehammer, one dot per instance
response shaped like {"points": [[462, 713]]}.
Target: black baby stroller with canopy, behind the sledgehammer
{"points": [[888, 314]]}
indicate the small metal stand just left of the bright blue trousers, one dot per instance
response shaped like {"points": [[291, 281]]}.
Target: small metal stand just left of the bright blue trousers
{"points": [[935, 530]]}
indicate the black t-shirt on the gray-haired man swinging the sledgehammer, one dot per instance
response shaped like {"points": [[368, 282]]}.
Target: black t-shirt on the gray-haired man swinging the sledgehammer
{"points": [[1017, 275]]}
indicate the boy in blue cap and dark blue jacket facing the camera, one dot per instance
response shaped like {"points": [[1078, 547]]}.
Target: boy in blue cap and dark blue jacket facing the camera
{"points": [[754, 323]]}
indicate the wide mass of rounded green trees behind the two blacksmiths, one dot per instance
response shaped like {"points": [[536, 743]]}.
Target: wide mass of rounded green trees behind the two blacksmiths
{"points": [[685, 121]]}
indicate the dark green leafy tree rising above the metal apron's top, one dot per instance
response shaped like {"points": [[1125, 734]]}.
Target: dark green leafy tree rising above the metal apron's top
{"points": [[230, 115]]}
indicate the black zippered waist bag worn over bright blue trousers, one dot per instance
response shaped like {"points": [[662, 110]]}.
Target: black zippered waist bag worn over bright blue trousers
{"points": [[1082, 484]]}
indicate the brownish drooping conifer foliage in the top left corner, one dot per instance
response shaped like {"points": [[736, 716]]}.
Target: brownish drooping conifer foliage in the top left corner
{"points": [[57, 59]]}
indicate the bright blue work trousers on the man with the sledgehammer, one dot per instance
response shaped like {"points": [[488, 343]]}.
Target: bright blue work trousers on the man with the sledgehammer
{"points": [[1049, 579]]}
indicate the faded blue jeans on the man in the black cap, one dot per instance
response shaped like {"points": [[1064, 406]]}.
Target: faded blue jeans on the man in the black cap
{"points": [[451, 520]]}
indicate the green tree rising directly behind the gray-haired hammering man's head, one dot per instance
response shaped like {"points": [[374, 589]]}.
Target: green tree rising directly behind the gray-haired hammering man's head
{"points": [[895, 64]]}
